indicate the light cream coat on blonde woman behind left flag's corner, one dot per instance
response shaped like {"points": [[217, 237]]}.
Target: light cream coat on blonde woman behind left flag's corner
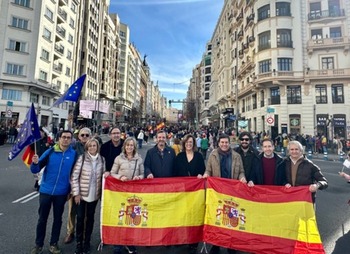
{"points": [[124, 167]]}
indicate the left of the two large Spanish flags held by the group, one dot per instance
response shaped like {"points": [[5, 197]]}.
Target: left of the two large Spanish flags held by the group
{"points": [[150, 212]]}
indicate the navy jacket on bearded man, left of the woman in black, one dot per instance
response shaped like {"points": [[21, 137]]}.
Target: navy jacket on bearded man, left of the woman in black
{"points": [[157, 165]]}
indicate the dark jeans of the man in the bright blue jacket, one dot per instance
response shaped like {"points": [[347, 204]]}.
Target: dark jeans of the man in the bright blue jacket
{"points": [[45, 203]]}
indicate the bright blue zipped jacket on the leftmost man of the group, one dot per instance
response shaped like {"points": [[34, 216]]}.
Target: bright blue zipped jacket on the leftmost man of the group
{"points": [[56, 176]]}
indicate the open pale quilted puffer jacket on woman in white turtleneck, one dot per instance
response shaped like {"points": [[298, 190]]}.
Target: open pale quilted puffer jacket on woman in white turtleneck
{"points": [[81, 176]]}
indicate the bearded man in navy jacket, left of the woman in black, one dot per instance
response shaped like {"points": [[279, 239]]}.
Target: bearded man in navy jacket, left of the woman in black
{"points": [[159, 159]]}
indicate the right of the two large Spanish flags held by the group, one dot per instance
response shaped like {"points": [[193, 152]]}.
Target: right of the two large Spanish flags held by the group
{"points": [[260, 219]]}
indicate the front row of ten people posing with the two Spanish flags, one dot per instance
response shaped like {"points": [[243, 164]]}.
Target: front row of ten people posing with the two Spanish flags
{"points": [[76, 172]]}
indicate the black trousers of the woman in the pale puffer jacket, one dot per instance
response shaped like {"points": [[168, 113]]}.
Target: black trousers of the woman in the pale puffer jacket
{"points": [[85, 221]]}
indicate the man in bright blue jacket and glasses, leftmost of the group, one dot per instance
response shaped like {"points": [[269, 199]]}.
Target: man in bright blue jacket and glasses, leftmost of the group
{"points": [[55, 186]]}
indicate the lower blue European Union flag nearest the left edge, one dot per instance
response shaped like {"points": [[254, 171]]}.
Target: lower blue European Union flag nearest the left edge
{"points": [[28, 134]]}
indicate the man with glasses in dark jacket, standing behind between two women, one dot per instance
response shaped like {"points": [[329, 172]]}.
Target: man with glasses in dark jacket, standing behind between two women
{"points": [[112, 148]]}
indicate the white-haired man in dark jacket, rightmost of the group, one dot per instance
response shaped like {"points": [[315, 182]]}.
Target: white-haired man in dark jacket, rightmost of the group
{"points": [[301, 171]]}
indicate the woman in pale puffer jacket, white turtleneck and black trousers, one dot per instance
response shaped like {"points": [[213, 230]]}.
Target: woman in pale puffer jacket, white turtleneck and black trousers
{"points": [[86, 183]]}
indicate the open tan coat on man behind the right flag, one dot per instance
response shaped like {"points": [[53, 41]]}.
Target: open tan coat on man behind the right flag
{"points": [[213, 165]]}
